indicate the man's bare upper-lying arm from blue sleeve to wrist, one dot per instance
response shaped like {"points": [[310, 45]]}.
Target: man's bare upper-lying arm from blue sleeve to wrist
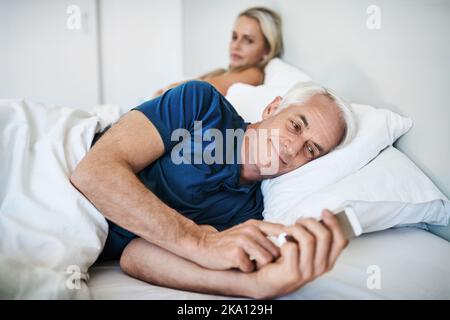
{"points": [[107, 177]]}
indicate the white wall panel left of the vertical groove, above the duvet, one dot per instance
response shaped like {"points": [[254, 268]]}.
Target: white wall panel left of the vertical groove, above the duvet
{"points": [[41, 59]]}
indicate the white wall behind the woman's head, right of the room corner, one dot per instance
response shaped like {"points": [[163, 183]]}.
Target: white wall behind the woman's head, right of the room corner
{"points": [[403, 66]]}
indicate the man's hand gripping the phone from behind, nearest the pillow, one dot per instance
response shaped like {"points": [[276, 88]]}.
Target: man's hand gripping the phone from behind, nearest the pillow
{"points": [[316, 251]]}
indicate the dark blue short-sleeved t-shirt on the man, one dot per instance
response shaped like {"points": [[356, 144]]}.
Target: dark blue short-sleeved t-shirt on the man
{"points": [[205, 193]]}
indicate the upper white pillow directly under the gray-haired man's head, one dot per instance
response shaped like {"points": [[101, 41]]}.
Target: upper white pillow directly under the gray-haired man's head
{"points": [[376, 129]]}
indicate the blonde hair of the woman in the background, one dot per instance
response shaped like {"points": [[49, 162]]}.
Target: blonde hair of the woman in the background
{"points": [[271, 26]]}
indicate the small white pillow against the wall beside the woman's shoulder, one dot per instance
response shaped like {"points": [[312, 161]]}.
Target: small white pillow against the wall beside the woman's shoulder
{"points": [[280, 74]]}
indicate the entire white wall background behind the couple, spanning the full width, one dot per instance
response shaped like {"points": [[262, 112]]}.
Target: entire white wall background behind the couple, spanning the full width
{"points": [[145, 45]]}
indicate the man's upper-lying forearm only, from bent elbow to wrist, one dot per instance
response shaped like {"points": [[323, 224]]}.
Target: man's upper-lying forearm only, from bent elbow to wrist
{"points": [[116, 192]]}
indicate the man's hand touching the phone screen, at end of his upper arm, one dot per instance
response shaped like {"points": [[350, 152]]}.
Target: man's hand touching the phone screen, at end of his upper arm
{"points": [[234, 247]]}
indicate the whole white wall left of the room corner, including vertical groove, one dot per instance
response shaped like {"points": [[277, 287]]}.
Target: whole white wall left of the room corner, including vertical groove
{"points": [[136, 52]]}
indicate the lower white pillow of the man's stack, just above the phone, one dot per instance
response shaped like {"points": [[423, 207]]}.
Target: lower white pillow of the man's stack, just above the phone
{"points": [[389, 191]]}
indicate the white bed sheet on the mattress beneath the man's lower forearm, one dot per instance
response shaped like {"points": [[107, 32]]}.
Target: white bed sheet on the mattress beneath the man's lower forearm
{"points": [[413, 264]]}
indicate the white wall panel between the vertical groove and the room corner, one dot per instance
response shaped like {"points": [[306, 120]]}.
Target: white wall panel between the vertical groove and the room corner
{"points": [[141, 48]]}
